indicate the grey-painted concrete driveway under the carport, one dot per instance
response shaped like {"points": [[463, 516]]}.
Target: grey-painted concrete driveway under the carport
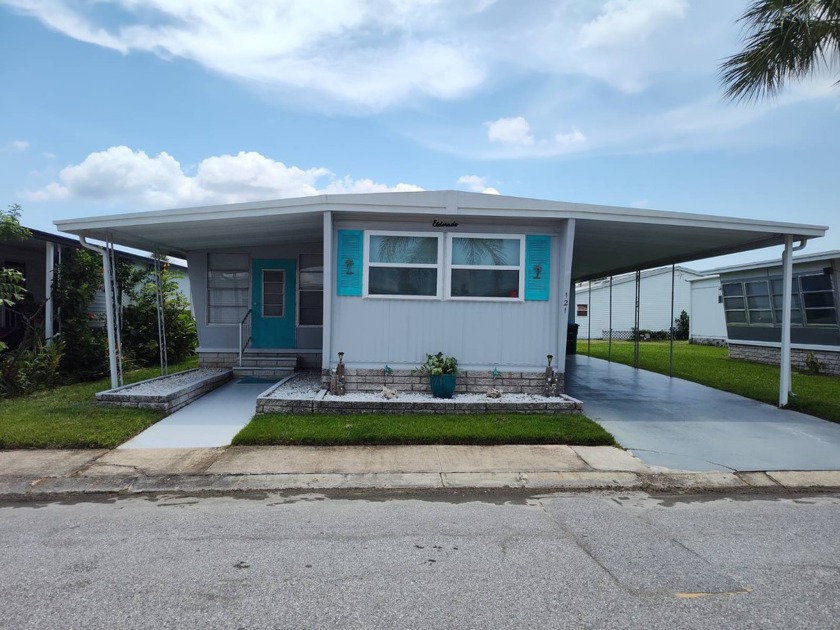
{"points": [[682, 425]]}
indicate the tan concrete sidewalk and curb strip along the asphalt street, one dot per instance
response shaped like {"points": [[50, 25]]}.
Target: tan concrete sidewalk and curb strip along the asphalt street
{"points": [[41, 474]]}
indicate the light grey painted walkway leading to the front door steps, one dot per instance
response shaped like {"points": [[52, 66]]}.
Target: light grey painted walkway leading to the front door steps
{"points": [[210, 421]]}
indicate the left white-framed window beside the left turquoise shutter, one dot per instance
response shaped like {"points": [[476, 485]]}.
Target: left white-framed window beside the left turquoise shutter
{"points": [[402, 264]]}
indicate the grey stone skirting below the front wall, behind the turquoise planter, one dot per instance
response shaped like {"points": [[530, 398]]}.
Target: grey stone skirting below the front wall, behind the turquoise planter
{"points": [[468, 382]]}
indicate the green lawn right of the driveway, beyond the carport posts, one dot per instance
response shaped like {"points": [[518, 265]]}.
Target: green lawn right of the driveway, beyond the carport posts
{"points": [[814, 394]]}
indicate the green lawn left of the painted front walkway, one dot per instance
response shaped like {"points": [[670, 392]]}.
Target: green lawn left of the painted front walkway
{"points": [[68, 417]]}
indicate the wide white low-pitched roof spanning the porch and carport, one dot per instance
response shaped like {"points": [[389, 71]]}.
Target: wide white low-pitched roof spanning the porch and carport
{"points": [[608, 240]]}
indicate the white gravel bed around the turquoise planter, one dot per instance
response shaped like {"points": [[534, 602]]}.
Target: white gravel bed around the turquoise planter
{"points": [[307, 387]]}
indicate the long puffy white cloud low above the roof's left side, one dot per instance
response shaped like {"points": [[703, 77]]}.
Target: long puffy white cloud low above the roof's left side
{"points": [[123, 175]]}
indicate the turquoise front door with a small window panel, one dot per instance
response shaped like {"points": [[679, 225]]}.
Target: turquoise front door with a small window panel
{"points": [[273, 308]]}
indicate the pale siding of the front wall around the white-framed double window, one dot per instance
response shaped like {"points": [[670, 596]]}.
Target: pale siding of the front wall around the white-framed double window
{"points": [[373, 331]]}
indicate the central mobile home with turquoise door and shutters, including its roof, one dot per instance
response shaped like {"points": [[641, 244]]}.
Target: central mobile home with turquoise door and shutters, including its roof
{"points": [[385, 278]]}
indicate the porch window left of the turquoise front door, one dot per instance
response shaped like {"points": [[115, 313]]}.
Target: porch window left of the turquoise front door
{"points": [[228, 281]]}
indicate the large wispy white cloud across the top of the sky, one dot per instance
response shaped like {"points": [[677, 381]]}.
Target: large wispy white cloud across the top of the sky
{"points": [[376, 54]]}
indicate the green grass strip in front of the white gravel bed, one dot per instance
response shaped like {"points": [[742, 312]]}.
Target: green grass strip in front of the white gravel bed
{"points": [[483, 429]]}
